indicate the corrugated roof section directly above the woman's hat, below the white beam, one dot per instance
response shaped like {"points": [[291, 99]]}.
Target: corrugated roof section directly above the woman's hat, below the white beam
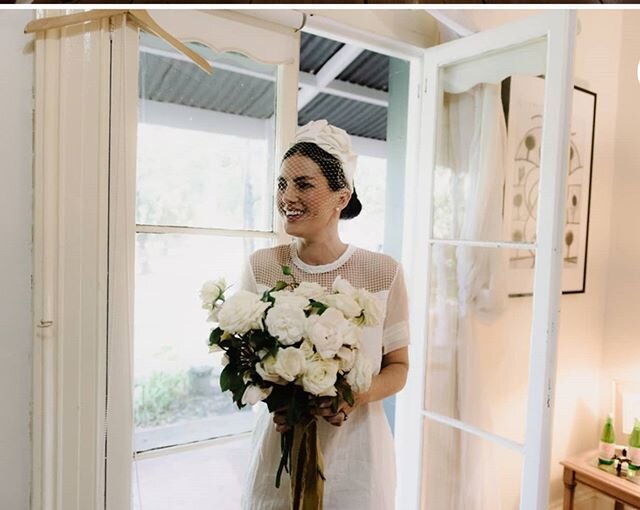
{"points": [[359, 119]]}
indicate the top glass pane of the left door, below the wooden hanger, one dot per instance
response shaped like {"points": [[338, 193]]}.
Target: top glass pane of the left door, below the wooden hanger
{"points": [[205, 143]]}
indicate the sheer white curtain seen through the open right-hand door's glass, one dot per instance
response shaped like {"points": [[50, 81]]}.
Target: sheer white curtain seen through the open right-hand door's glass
{"points": [[467, 287]]}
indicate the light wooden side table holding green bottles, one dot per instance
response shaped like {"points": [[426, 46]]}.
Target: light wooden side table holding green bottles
{"points": [[584, 469]]}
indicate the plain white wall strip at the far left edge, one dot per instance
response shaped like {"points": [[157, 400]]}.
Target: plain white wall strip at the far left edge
{"points": [[15, 260]]}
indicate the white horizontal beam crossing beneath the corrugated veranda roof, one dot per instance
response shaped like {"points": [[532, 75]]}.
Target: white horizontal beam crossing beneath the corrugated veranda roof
{"points": [[307, 80]]}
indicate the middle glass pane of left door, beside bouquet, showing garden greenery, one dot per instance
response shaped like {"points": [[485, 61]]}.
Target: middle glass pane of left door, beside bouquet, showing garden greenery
{"points": [[177, 394]]}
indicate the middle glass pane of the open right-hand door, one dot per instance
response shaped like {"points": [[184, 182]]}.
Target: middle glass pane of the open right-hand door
{"points": [[478, 342]]}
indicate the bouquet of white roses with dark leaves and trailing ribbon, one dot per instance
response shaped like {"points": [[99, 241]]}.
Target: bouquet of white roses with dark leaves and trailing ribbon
{"points": [[288, 347]]}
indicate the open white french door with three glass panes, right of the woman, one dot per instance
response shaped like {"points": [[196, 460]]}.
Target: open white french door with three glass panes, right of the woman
{"points": [[476, 422]]}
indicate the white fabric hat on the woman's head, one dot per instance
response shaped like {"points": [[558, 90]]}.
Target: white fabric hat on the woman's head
{"points": [[335, 141]]}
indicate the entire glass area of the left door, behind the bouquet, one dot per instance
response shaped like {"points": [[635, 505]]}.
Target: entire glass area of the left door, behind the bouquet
{"points": [[205, 182]]}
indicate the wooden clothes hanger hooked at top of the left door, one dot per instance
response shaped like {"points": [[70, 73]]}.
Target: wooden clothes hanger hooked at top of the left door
{"points": [[139, 17]]}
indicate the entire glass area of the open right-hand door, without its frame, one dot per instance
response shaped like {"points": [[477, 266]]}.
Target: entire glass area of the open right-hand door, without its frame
{"points": [[485, 203]]}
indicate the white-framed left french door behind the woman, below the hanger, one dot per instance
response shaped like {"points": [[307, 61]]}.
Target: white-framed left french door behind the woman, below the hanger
{"points": [[189, 200]]}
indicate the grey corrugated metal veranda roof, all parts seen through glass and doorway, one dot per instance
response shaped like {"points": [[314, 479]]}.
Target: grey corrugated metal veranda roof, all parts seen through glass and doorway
{"points": [[171, 80]]}
